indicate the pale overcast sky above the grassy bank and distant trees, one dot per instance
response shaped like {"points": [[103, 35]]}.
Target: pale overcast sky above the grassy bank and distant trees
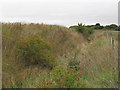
{"points": [[60, 12]]}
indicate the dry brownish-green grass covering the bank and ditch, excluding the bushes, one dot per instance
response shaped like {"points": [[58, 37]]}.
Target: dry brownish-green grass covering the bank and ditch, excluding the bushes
{"points": [[96, 59]]}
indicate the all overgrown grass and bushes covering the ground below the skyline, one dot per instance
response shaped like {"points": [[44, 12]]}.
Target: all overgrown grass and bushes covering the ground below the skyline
{"points": [[27, 47]]}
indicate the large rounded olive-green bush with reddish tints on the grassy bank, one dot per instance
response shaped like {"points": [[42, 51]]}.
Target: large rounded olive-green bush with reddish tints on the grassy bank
{"points": [[36, 50]]}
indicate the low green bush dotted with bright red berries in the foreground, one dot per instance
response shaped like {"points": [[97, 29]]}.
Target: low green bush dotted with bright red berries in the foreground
{"points": [[62, 78]]}
